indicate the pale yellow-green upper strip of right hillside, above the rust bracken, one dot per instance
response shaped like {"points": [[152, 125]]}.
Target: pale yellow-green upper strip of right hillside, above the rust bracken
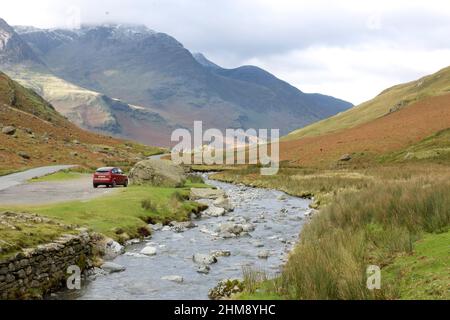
{"points": [[390, 100]]}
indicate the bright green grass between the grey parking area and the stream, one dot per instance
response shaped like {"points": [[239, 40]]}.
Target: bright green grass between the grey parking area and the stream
{"points": [[121, 215]]}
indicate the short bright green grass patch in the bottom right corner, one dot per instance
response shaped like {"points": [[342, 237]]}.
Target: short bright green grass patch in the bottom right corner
{"points": [[424, 274]]}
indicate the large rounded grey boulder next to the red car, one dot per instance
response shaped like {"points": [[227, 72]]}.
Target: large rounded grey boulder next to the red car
{"points": [[159, 173]]}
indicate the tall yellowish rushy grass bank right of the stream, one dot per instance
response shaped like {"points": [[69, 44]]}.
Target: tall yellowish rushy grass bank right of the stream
{"points": [[367, 217]]}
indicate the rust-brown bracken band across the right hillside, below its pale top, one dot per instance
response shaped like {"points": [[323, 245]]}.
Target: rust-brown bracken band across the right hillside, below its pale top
{"points": [[383, 138]]}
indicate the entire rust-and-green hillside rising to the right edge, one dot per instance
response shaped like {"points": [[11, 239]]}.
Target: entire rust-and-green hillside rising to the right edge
{"points": [[408, 122]]}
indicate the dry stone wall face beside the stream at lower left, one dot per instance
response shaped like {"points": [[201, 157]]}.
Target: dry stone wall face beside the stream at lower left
{"points": [[35, 272]]}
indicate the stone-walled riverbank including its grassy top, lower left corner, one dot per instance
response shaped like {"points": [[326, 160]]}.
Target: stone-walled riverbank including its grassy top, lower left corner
{"points": [[35, 253]]}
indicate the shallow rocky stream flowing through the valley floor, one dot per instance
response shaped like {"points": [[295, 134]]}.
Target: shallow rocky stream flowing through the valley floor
{"points": [[276, 217]]}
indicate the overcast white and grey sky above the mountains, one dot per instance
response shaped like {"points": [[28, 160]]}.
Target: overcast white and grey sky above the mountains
{"points": [[350, 49]]}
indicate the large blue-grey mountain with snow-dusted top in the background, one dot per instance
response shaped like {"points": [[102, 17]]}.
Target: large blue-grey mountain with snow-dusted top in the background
{"points": [[153, 71]]}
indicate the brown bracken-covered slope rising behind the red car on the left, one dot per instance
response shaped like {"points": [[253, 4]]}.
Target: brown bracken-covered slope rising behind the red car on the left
{"points": [[33, 133]]}
